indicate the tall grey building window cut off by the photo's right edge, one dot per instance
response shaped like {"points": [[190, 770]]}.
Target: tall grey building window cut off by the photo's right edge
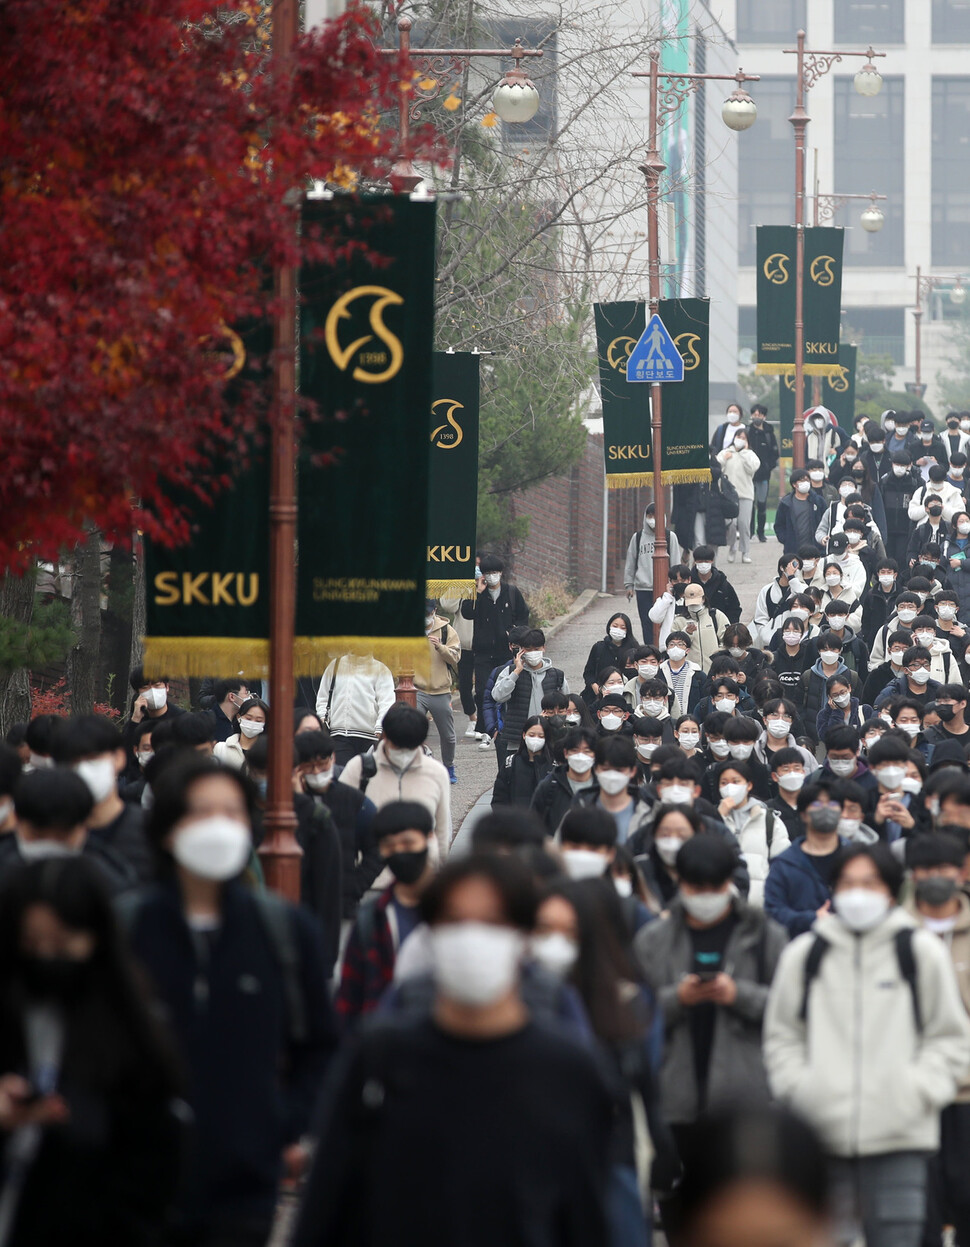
{"points": [[951, 171]]}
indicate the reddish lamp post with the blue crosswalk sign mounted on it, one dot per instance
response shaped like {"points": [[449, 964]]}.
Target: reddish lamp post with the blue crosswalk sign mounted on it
{"points": [[739, 113]]}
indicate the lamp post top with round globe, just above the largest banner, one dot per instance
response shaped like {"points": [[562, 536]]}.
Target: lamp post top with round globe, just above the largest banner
{"points": [[516, 99]]}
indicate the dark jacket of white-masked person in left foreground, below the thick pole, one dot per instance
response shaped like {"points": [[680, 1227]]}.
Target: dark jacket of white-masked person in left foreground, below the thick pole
{"points": [[252, 1084]]}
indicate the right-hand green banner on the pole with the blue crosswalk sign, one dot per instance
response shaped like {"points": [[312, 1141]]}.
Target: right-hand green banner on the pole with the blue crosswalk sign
{"points": [[685, 406]]}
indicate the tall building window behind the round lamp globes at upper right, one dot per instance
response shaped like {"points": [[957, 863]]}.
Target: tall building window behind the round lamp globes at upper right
{"points": [[870, 158]]}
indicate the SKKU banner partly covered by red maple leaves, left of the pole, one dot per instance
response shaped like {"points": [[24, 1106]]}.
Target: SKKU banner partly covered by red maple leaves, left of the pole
{"points": [[208, 603]]}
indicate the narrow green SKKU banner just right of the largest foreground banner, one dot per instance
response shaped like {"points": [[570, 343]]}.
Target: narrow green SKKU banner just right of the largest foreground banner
{"points": [[454, 474]]}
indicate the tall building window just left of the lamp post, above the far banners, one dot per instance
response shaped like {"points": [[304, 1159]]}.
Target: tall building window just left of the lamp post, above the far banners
{"points": [[767, 165]]}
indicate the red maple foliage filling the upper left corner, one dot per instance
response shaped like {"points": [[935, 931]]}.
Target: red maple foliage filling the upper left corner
{"points": [[145, 155]]}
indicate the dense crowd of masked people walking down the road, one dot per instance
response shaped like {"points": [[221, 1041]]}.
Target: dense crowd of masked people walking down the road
{"points": [[705, 963]]}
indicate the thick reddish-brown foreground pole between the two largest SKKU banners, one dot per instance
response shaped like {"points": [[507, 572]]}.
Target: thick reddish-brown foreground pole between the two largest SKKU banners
{"points": [[280, 852]]}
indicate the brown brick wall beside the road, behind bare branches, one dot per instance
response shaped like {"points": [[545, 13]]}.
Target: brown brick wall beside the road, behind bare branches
{"points": [[567, 527]]}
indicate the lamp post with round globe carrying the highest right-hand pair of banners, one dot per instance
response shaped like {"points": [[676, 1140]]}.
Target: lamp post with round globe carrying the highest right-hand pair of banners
{"points": [[814, 65]]}
